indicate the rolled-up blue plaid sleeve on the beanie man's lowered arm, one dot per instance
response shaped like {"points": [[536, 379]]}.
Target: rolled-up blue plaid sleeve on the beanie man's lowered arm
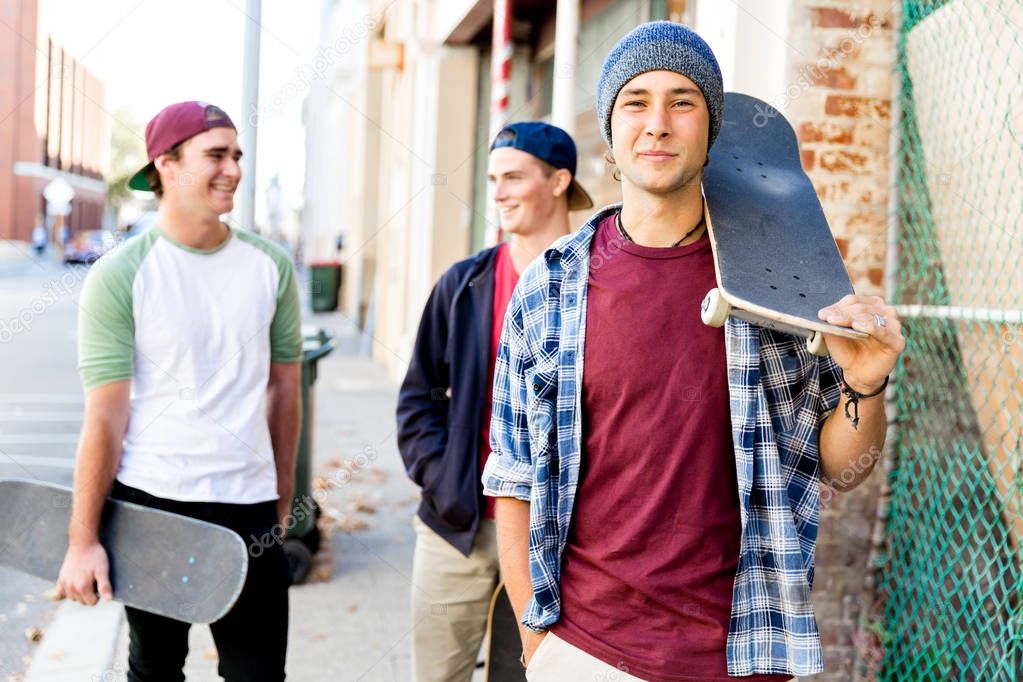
{"points": [[509, 472]]}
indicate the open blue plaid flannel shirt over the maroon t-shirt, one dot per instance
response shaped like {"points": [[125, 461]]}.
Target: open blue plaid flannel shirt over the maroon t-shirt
{"points": [[780, 395]]}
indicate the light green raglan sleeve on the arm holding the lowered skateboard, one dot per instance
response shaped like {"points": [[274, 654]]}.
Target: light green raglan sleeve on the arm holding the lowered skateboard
{"points": [[107, 324]]}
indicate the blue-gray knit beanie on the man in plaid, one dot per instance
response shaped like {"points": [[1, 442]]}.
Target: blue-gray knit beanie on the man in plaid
{"points": [[660, 47]]}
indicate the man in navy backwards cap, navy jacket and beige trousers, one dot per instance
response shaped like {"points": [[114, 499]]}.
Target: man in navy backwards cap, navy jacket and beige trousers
{"points": [[444, 404]]}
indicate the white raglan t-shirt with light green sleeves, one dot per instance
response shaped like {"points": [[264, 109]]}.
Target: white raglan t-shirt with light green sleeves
{"points": [[196, 333]]}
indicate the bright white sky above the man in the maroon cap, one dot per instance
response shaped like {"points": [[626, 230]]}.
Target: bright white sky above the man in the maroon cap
{"points": [[154, 53]]}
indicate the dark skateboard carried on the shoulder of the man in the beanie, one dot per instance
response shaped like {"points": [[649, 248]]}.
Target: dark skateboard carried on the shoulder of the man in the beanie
{"points": [[775, 257]]}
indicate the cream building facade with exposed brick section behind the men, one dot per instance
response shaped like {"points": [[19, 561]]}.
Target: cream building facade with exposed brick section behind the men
{"points": [[399, 130]]}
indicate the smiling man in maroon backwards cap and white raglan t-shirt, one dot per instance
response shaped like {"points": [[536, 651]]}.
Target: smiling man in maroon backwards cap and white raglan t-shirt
{"points": [[192, 330]]}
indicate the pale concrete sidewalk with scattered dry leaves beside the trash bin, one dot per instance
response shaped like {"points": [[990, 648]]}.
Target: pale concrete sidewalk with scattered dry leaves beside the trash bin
{"points": [[351, 621]]}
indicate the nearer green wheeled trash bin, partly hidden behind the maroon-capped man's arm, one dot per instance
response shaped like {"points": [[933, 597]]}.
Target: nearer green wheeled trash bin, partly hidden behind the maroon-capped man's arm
{"points": [[303, 536]]}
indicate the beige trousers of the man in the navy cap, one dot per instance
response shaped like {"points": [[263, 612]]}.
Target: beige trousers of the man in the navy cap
{"points": [[451, 601]]}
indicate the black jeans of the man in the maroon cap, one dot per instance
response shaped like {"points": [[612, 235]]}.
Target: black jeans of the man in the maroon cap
{"points": [[252, 640]]}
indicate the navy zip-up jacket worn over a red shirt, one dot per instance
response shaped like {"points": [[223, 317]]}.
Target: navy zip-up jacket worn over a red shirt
{"points": [[441, 402]]}
